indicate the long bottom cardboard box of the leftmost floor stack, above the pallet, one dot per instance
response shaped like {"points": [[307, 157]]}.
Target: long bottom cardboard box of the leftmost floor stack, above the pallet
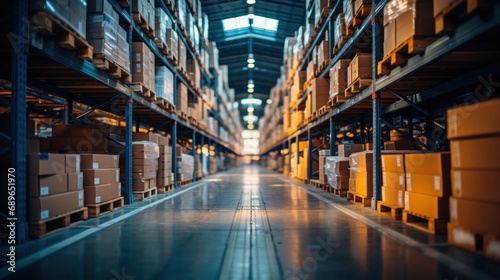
{"points": [[47, 207]]}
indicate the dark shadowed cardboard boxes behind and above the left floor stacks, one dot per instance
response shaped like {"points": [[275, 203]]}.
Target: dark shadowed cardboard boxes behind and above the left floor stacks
{"points": [[82, 138]]}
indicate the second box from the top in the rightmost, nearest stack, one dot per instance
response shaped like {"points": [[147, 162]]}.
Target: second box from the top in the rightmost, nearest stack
{"points": [[476, 153]]}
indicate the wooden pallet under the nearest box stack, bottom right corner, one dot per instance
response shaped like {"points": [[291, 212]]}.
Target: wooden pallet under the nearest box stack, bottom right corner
{"points": [[473, 241]]}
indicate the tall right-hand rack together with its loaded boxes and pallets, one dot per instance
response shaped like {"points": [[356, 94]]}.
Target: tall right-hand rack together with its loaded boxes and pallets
{"points": [[417, 61]]}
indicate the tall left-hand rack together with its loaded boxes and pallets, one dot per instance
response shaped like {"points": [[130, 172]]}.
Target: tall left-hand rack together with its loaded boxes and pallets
{"points": [[80, 72]]}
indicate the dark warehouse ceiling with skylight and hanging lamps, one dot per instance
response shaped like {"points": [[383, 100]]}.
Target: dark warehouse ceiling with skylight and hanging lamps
{"points": [[267, 47]]}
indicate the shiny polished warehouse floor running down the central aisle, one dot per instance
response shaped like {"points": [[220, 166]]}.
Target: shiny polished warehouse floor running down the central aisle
{"points": [[246, 223]]}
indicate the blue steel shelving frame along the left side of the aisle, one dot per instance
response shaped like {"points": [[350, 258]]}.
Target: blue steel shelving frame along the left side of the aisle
{"points": [[57, 75]]}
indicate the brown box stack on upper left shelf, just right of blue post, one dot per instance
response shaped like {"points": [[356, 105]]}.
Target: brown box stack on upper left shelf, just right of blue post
{"points": [[143, 70]]}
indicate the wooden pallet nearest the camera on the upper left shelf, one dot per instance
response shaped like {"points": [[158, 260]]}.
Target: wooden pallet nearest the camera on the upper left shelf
{"points": [[48, 24]]}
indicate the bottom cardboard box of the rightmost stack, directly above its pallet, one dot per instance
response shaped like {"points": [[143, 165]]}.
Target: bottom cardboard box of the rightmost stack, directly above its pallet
{"points": [[474, 215]]}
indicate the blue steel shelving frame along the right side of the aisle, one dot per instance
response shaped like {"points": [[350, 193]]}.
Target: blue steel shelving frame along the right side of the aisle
{"points": [[454, 69]]}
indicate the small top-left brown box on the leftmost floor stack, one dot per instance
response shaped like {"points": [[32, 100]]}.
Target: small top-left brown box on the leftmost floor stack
{"points": [[46, 164]]}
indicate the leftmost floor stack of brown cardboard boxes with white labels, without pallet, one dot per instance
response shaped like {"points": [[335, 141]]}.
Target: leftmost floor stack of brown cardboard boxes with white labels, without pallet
{"points": [[55, 185]]}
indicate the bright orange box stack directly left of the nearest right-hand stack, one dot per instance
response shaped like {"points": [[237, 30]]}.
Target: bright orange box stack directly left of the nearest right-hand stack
{"points": [[428, 185]]}
